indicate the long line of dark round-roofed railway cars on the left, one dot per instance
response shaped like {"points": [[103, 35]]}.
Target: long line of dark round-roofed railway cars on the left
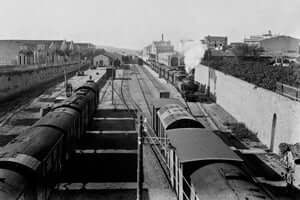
{"points": [[30, 163]]}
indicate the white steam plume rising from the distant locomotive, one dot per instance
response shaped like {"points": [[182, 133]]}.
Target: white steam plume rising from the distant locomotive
{"points": [[193, 53]]}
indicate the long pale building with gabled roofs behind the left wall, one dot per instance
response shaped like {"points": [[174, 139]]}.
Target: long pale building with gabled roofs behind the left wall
{"points": [[28, 52]]}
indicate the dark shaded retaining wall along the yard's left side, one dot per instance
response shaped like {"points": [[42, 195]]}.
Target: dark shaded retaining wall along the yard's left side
{"points": [[16, 81]]}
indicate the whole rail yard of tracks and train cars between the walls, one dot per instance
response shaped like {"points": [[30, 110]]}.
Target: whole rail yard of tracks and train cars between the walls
{"points": [[126, 132]]}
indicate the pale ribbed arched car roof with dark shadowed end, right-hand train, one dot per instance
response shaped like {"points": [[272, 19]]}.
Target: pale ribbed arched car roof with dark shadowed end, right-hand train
{"points": [[175, 116]]}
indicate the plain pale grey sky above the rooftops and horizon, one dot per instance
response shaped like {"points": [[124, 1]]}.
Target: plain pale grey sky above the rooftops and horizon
{"points": [[135, 23]]}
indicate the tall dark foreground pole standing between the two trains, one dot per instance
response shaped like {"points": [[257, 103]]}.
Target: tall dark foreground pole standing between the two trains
{"points": [[140, 176]]}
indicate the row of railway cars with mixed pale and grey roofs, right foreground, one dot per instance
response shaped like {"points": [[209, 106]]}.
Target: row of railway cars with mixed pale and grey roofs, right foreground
{"points": [[199, 164]]}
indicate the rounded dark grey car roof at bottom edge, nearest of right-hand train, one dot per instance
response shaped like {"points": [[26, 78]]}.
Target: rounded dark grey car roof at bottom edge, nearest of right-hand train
{"points": [[225, 181]]}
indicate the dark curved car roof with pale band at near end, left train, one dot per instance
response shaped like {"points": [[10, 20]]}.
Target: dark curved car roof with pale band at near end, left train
{"points": [[31, 147]]}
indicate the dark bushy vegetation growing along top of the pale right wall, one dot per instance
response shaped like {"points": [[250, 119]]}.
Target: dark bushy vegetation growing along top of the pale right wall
{"points": [[260, 72]]}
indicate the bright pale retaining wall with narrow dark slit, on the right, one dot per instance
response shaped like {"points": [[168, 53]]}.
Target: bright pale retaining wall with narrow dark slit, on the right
{"points": [[258, 108]]}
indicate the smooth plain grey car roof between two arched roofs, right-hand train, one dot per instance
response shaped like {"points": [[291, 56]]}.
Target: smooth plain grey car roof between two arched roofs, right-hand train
{"points": [[194, 144]]}
